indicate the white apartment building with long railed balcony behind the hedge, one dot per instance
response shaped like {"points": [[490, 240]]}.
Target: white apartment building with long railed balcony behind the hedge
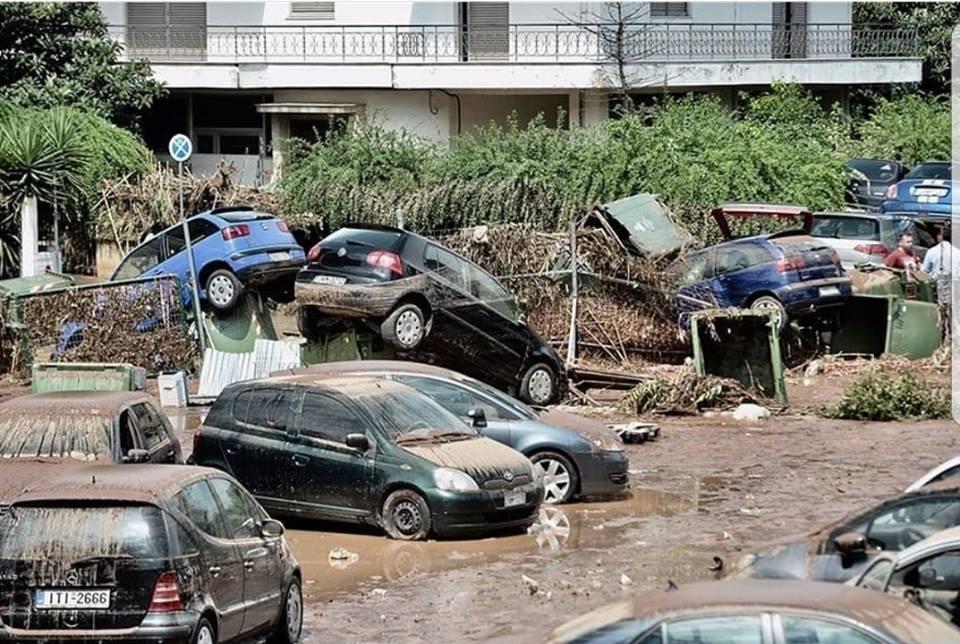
{"points": [[246, 76]]}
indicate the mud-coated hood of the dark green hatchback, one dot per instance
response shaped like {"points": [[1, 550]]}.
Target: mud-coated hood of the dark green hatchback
{"points": [[482, 458]]}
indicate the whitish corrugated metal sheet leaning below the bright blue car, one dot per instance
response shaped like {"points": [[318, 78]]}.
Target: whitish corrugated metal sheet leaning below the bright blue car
{"points": [[221, 368]]}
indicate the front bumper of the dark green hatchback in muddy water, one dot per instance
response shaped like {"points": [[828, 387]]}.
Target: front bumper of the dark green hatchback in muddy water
{"points": [[483, 511]]}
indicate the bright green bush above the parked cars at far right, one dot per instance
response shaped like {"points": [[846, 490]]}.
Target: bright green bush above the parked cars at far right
{"points": [[911, 129]]}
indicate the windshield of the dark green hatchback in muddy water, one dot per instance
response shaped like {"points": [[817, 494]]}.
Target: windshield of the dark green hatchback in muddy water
{"points": [[408, 416]]}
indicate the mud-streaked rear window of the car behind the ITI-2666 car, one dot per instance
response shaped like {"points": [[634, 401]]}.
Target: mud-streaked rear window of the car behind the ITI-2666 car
{"points": [[50, 435]]}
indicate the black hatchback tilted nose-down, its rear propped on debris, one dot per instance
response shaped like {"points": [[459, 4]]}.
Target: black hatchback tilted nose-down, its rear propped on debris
{"points": [[430, 302]]}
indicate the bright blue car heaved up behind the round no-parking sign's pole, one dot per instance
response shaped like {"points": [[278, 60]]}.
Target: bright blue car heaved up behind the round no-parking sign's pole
{"points": [[233, 247]]}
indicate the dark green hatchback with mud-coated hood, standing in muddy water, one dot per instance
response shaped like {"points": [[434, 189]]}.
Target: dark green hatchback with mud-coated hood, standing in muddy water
{"points": [[366, 450]]}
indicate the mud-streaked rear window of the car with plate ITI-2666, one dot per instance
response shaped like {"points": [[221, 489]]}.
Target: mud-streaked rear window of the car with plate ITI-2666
{"points": [[71, 534]]}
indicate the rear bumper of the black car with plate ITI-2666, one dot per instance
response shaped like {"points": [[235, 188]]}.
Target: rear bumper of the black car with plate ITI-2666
{"points": [[168, 628]]}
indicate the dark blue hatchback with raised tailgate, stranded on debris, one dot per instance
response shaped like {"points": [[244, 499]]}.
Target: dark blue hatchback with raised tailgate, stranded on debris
{"points": [[789, 273]]}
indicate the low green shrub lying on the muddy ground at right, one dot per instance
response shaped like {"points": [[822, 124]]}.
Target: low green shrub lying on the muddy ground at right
{"points": [[878, 396]]}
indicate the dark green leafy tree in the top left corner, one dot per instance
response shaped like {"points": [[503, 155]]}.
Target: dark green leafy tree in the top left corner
{"points": [[59, 53]]}
